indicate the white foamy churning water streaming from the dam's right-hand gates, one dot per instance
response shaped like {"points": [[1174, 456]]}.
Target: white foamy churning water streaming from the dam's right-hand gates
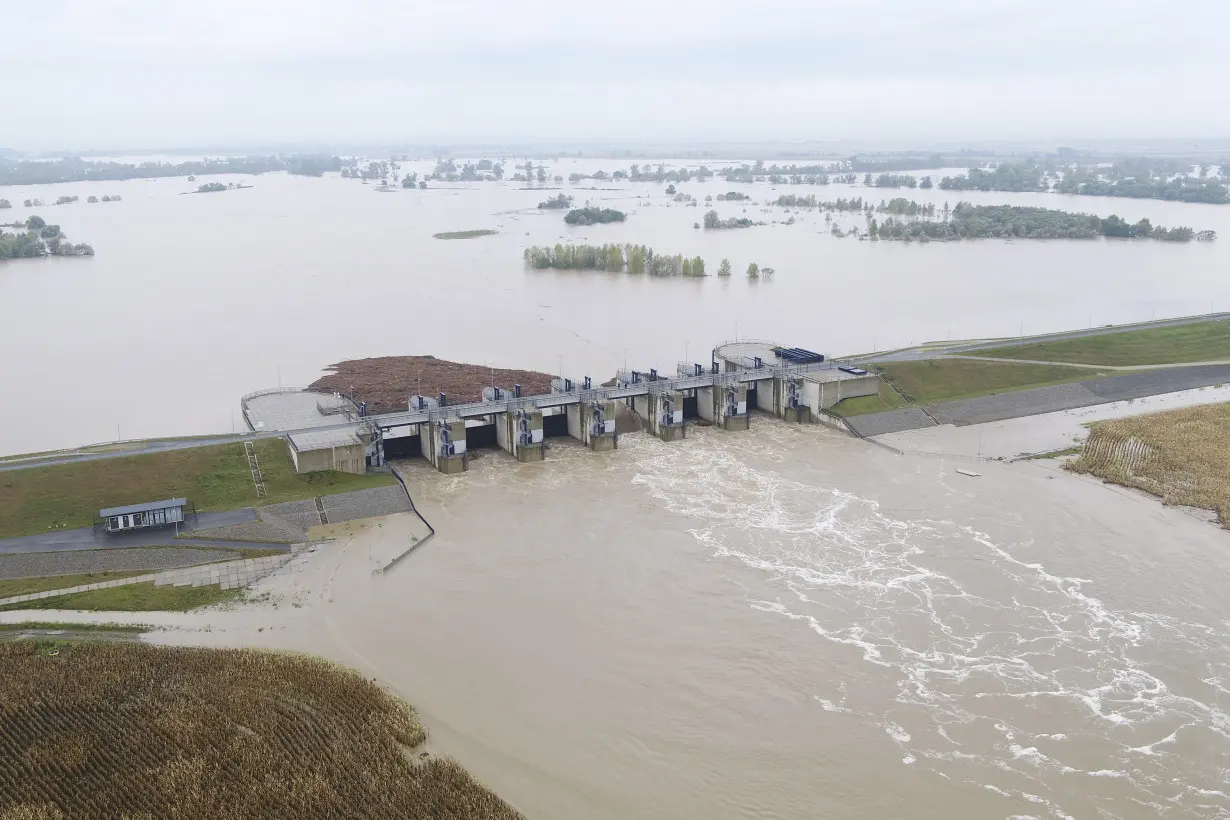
{"points": [[902, 594]]}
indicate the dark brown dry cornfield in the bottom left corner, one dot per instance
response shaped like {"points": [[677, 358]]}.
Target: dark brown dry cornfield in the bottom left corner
{"points": [[140, 732]]}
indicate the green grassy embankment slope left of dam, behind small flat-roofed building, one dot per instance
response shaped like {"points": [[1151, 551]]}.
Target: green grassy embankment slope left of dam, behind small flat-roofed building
{"points": [[211, 478]]}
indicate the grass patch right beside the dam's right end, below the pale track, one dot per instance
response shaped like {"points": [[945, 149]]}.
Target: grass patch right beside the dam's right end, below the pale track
{"points": [[933, 382]]}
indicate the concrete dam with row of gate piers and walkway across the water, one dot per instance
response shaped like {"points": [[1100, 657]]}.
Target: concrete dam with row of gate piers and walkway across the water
{"points": [[789, 383]]}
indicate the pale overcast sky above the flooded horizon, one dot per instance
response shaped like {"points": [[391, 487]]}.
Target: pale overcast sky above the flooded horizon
{"points": [[113, 74]]}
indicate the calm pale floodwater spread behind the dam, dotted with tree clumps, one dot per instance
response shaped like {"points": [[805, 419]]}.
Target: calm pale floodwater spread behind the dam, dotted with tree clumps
{"points": [[195, 301]]}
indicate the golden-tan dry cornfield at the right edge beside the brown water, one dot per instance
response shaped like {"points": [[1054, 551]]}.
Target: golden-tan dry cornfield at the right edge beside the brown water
{"points": [[1181, 455]]}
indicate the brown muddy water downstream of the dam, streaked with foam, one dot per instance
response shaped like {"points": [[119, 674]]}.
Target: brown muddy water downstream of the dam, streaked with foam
{"points": [[785, 624]]}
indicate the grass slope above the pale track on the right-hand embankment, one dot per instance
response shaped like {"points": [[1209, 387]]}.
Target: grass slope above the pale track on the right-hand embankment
{"points": [[1197, 342]]}
